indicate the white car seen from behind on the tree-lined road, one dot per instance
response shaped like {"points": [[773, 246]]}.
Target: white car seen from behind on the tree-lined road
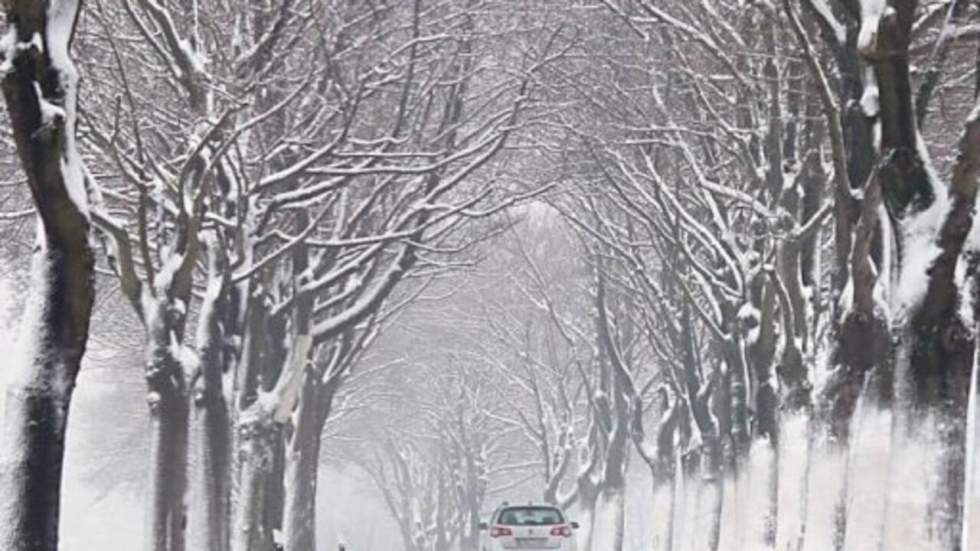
{"points": [[528, 528]]}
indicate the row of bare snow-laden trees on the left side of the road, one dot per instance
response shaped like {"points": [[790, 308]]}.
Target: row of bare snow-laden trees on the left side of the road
{"points": [[267, 183]]}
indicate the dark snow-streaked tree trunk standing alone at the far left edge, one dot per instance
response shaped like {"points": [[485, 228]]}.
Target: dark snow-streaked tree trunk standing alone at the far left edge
{"points": [[40, 88]]}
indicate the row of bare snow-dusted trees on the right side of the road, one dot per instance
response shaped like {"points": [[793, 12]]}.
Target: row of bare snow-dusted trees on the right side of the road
{"points": [[768, 274]]}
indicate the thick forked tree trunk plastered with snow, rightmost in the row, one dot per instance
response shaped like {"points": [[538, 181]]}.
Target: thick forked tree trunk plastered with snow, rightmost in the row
{"points": [[934, 350]]}
